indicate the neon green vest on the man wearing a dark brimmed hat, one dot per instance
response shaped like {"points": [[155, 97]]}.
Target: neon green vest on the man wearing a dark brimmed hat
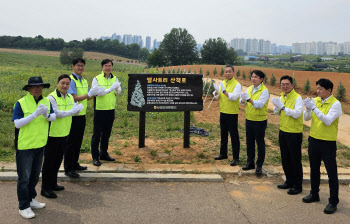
{"points": [[34, 134]]}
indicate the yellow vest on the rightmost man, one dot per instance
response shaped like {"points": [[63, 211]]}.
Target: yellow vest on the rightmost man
{"points": [[318, 129]]}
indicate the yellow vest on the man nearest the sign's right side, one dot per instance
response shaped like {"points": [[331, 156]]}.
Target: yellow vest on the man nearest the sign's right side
{"points": [[229, 106]]}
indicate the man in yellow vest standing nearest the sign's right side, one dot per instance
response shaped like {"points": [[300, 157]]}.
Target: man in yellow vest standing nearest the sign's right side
{"points": [[228, 93]]}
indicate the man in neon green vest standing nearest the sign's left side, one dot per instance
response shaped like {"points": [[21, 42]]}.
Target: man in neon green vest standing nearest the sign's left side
{"points": [[104, 111]]}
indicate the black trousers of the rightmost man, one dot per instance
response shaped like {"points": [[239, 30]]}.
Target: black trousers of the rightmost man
{"points": [[326, 151]]}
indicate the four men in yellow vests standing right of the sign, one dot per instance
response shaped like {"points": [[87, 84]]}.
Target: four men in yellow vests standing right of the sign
{"points": [[324, 112]]}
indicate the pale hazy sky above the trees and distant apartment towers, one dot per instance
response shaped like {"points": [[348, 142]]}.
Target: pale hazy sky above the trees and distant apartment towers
{"points": [[281, 21]]}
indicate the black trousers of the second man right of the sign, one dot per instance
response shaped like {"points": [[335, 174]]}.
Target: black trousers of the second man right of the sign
{"points": [[255, 132]]}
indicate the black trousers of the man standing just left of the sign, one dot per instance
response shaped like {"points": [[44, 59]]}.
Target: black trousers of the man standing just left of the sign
{"points": [[103, 123]]}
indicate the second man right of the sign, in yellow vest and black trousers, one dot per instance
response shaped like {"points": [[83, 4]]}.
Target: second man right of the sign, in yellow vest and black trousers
{"points": [[256, 99]]}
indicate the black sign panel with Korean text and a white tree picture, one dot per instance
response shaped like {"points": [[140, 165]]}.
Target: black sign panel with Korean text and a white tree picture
{"points": [[165, 92]]}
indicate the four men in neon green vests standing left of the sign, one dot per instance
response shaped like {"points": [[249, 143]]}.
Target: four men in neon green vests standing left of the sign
{"points": [[53, 127]]}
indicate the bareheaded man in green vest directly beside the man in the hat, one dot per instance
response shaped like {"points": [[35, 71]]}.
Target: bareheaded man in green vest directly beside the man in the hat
{"points": [[64, 107]]}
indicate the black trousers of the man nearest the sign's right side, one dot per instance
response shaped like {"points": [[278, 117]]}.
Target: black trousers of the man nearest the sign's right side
{"points": [[229, 124]]}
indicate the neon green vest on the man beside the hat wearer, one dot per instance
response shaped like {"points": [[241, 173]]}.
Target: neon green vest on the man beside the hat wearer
{"points": [[61, 126]]}
